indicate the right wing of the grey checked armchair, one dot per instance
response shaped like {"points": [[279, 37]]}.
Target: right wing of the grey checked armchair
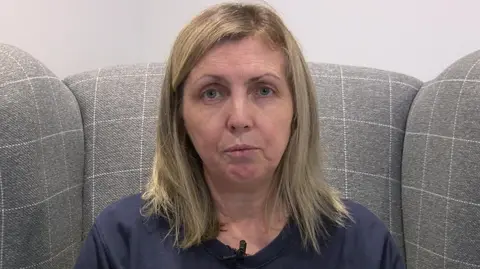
{"points": [[441, 170]]}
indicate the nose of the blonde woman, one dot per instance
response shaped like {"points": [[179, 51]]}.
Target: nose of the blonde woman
{"points": [[240, 114]]}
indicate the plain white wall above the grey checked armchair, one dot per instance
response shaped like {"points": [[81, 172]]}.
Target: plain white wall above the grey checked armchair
{"points": [[418, 38]]}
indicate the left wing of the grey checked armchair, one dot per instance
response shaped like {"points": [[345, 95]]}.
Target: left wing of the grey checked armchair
{"points": [[41, 163]]}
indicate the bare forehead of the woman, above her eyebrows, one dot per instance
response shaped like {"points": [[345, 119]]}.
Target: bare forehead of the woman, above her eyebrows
{"points": [[246, 57]]}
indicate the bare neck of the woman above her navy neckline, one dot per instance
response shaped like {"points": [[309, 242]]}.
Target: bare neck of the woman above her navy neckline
{"points": [[241, 211]]}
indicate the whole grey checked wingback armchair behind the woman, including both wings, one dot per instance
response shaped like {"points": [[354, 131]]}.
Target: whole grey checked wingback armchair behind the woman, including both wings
{"points": [[405, 149]]}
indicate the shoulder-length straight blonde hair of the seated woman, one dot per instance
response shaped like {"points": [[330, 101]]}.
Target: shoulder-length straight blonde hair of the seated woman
{"points": [[177, 190]]}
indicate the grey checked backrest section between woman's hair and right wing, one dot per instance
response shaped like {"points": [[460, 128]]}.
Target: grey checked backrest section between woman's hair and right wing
{"points": [[363, 114]]}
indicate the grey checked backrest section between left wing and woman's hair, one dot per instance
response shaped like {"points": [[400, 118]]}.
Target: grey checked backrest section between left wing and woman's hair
{"points": [[119, 110]]}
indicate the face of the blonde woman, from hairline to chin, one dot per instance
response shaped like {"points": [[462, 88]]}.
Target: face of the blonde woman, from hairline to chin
{"points": [[237, 109]]}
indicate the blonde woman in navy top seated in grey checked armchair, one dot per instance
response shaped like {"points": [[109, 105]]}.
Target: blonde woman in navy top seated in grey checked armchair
{"points": [[236, 178]]}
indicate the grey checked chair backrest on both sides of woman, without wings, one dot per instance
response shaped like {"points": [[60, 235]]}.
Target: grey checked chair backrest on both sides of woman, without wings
{"points": [[363, 114]]}
